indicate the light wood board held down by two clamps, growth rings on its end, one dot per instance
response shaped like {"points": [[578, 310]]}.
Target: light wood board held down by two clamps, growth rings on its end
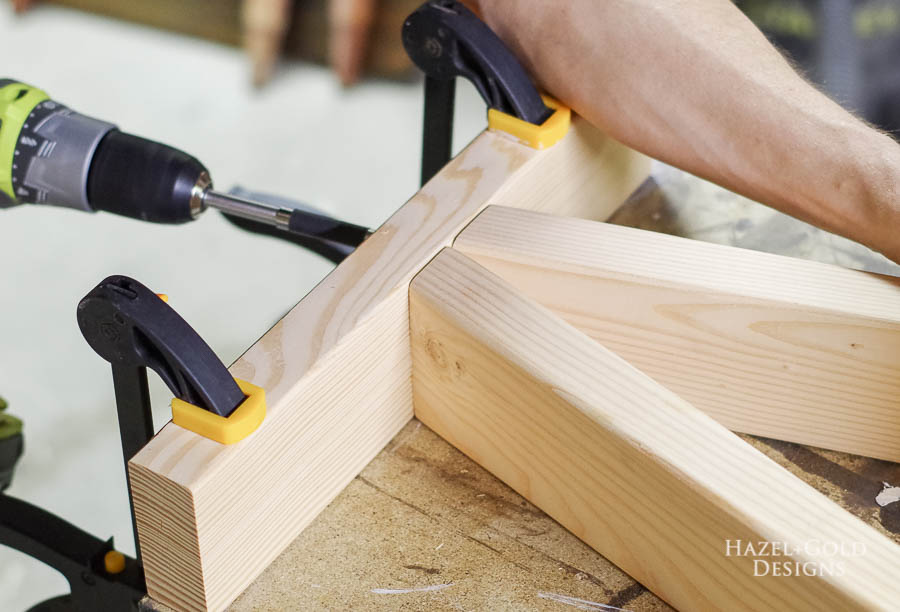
{"points": [[336, 371]]}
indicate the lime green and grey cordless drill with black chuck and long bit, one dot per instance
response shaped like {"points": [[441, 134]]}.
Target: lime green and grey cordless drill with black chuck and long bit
{"points": [[49, 154]]}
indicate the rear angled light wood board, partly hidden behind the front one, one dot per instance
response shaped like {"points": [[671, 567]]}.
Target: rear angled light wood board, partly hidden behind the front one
{"points": [[765, 344]]}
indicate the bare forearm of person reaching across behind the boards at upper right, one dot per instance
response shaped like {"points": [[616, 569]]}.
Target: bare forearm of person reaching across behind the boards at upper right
{"points": [[695, 84]]}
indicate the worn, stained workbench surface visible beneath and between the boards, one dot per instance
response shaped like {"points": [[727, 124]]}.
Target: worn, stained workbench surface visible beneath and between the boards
{"points": [[425, 528]]}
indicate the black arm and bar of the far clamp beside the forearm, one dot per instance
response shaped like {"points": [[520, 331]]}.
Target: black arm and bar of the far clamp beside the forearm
{"points": [[446, 40]]}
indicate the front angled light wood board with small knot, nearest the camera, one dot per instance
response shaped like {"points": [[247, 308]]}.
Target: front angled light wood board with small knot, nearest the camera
{"points": [[647, 480]]}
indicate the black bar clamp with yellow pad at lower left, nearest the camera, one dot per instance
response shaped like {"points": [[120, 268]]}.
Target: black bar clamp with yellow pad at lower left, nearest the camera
{"points": [[133, 329]]}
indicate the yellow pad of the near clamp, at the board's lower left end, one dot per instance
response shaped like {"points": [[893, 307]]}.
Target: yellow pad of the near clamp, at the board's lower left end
{"points": [[225, 430]]}
